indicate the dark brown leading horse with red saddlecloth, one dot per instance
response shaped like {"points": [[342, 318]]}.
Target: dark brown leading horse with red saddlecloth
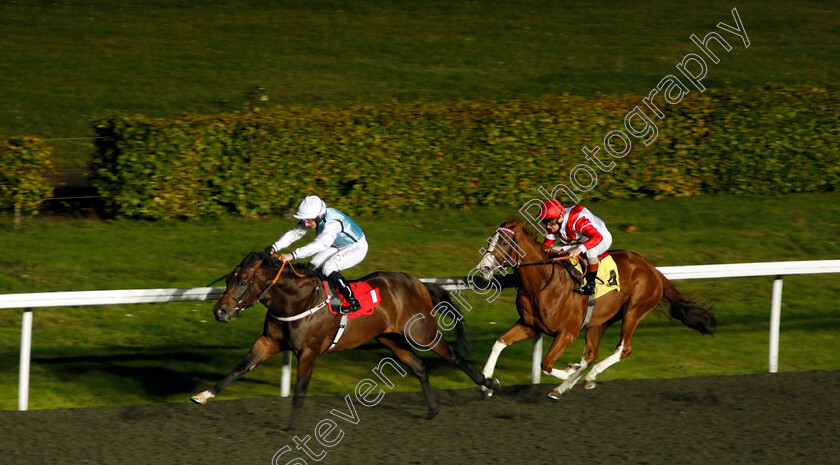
{"points": [[297, 320]]}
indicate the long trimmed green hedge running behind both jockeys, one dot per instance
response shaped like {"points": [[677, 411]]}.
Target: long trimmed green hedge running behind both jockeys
{"points": [[406, 156]]}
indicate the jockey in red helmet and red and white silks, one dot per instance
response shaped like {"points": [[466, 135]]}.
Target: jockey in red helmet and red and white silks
{"points": [[580, 233]]}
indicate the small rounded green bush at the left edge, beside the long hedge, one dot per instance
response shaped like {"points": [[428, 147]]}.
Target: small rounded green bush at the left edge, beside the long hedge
{"points": [[26, 176]]}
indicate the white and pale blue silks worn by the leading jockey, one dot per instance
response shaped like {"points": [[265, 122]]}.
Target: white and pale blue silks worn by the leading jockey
{"points": [[340, 242]]}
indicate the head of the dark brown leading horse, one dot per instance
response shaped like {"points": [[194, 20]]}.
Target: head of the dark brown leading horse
{"points": [[243, 288]]}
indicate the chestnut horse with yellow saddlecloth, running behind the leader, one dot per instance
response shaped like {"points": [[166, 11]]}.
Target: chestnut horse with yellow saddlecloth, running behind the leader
{"points": [[546, 304]]}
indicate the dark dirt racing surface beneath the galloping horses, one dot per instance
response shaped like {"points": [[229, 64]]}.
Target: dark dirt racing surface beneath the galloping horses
{"points": [[756, 419]]}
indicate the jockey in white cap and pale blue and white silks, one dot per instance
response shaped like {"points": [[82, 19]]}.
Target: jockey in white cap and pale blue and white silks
{"points": [[339, 245]]}
